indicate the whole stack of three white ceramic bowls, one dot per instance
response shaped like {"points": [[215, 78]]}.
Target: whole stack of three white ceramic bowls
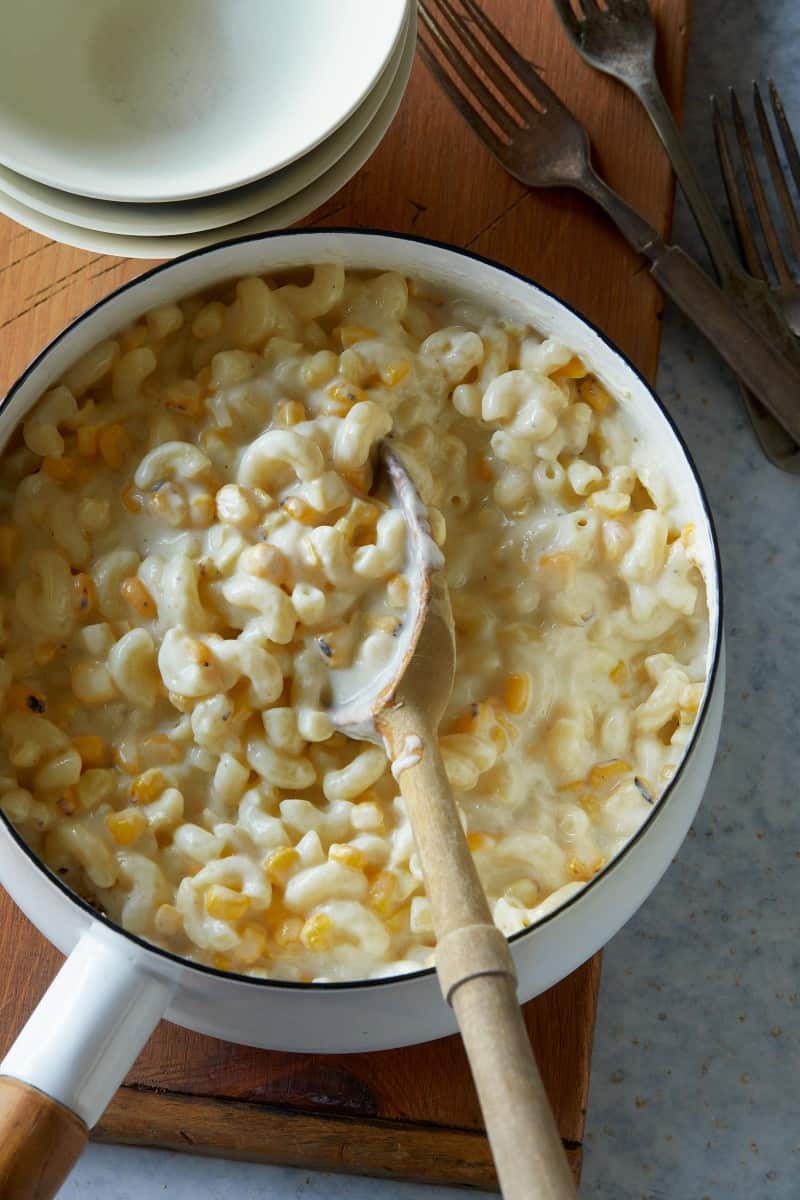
{"points": [[152, 128]]}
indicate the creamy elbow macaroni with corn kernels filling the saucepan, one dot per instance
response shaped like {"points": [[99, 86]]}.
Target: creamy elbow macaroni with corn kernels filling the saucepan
{"points": [[190, 543]]}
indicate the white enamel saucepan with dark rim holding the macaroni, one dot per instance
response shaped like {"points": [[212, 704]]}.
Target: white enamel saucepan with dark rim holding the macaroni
{"points": [[115, 988]]}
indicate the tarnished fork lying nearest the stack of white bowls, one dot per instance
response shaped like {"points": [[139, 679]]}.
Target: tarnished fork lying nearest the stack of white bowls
{"points": [[543, 145]]}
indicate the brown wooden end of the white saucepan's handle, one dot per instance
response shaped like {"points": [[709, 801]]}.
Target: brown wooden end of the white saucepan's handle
{"points": [[40, 1142]]}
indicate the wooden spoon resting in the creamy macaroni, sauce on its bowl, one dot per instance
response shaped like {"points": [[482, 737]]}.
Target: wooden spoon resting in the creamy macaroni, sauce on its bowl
{"points": [[402, 707]]}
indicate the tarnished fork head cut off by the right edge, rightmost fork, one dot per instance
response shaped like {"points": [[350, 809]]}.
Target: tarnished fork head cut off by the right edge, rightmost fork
{"points": [[787, 289]]}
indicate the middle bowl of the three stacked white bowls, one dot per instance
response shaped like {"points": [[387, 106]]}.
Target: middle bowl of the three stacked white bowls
{"points": [[207, 212]]}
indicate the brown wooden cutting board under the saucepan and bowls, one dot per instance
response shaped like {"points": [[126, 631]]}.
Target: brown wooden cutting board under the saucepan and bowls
{"points": [[407, 1114]]}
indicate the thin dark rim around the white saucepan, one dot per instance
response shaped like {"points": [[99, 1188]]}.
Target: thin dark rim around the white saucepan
{"points": [[711, 685]]}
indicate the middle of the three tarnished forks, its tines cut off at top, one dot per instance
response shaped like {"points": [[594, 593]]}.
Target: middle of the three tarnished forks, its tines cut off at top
{"points": [[621, 41]]}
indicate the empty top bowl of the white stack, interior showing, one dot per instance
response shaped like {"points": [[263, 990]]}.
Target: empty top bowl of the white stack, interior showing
{"points": [[164, 101]]}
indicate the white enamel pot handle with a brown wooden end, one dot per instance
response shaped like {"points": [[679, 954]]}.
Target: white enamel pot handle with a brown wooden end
{"points": [[71, 1057]]}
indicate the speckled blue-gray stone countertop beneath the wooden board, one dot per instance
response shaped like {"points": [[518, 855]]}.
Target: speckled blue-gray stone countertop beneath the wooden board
{"points": [[695, 1093]]}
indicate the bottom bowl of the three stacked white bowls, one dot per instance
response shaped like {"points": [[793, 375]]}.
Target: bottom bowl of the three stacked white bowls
{"points": [[291, 211]]}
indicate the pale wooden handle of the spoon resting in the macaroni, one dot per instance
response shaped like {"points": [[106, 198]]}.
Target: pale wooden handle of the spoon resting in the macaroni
{"points": [[477, 974]]}
